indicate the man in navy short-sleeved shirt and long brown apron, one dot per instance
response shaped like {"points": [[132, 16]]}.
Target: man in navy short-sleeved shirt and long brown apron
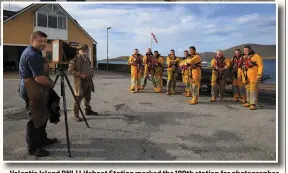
{"points": [[34, 89]]}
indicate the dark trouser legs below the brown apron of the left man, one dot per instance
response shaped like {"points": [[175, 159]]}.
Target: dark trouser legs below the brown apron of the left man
{"points": [[35, 137]]}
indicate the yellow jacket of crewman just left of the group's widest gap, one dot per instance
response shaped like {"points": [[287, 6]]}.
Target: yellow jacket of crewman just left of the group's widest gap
{"points": [[194, 73]]}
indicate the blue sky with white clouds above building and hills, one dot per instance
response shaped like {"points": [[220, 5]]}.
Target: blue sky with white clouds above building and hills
{"points": [[208, 27]]}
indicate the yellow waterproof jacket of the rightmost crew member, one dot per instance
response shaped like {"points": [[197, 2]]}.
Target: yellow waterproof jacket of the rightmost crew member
{"points": [[253, 72]]}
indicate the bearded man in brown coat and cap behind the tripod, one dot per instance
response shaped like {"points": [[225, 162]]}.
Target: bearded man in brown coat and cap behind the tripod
{"points": [[80, 68]]}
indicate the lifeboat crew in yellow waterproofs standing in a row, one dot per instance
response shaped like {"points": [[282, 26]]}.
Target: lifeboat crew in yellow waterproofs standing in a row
{"points": [[247, 70]]}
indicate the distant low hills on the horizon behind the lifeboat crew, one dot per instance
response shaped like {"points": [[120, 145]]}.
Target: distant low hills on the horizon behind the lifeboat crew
{"points": [[266, 51]]}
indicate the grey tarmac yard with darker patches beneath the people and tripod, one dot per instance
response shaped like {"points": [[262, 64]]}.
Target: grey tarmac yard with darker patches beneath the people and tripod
{"points": [[147, 126]]}
